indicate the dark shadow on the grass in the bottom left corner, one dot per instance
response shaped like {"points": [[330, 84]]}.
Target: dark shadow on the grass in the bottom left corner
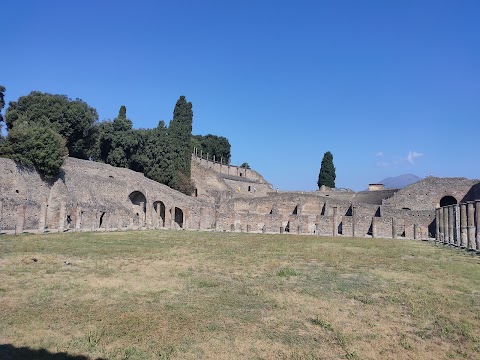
{"points": [[10, 352]]}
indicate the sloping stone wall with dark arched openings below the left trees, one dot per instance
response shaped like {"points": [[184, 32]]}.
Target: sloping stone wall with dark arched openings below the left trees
{"points": [[95, 196]]}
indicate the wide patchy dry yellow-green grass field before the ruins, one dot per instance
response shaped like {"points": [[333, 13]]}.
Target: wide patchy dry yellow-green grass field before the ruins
{"points": [[199, 295]]}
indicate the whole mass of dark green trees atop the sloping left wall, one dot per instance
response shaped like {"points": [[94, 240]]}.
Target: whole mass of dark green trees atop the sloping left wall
{"points": [[37, 122]]}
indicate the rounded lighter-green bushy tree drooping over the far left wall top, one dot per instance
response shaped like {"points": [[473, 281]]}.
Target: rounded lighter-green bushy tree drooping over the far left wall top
{"points": [[36, 146]]}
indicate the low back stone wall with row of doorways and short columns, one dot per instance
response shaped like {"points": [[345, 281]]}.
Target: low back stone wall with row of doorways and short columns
{"points": [[322, 215]]}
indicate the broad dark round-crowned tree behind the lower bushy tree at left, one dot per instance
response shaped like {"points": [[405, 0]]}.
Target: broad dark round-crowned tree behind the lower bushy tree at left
{"points": [[73, 119]]}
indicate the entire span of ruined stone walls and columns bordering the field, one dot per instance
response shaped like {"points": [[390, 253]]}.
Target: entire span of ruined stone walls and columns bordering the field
{"points": [[90, 196]]}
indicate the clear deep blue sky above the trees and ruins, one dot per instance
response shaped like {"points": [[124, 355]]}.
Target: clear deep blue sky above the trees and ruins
{"points": [[389, 87]]}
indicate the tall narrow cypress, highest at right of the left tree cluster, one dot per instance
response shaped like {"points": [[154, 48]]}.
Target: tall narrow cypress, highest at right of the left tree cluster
{"points": [[180, 146]]}
